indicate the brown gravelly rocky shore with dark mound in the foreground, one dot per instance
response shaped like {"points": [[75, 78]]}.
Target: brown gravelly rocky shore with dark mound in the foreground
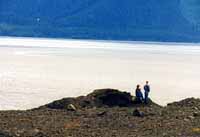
{"points": [[97, 115]]}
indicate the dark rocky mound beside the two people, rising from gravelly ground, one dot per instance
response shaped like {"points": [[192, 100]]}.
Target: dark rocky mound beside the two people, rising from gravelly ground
{"points": [[98, 98]]}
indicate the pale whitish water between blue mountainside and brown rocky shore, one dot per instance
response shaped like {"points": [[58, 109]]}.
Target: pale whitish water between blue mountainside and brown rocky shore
{"points": [[34, 72]]}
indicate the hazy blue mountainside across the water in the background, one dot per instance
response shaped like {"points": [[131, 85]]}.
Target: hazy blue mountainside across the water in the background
{"points": [[141, 20]]}
